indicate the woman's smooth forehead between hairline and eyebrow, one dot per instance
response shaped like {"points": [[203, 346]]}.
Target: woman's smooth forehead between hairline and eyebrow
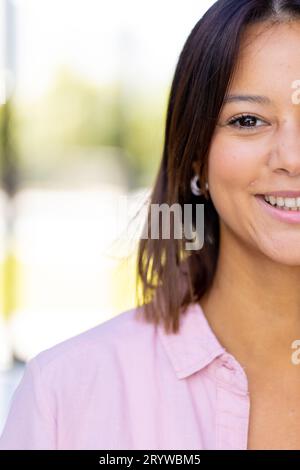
{"points": [[269, 58]]}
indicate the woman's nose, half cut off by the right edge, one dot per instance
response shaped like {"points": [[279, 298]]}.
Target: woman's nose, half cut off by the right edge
{"points": [[286, 153]]}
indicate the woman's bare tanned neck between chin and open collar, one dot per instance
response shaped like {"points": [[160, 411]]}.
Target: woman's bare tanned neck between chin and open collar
{"points": [[253, 305]]}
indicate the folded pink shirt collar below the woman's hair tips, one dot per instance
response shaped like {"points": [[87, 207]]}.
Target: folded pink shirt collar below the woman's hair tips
{"points": [[194, 346]]}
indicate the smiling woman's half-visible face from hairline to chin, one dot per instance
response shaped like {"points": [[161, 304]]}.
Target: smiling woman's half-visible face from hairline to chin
{"points": [[260, 154]]}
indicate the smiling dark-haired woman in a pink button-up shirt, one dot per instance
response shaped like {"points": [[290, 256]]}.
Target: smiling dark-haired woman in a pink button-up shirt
{"points": [[207, 360]]}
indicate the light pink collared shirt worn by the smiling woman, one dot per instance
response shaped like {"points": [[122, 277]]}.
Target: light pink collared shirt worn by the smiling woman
{"points": [[126, 385]]}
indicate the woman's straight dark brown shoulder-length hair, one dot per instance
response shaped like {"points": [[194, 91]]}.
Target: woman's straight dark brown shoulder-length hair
{"points": [[169, 277]]}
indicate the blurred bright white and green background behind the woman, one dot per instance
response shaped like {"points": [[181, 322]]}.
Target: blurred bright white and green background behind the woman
{"points": [[88, 83]]}
